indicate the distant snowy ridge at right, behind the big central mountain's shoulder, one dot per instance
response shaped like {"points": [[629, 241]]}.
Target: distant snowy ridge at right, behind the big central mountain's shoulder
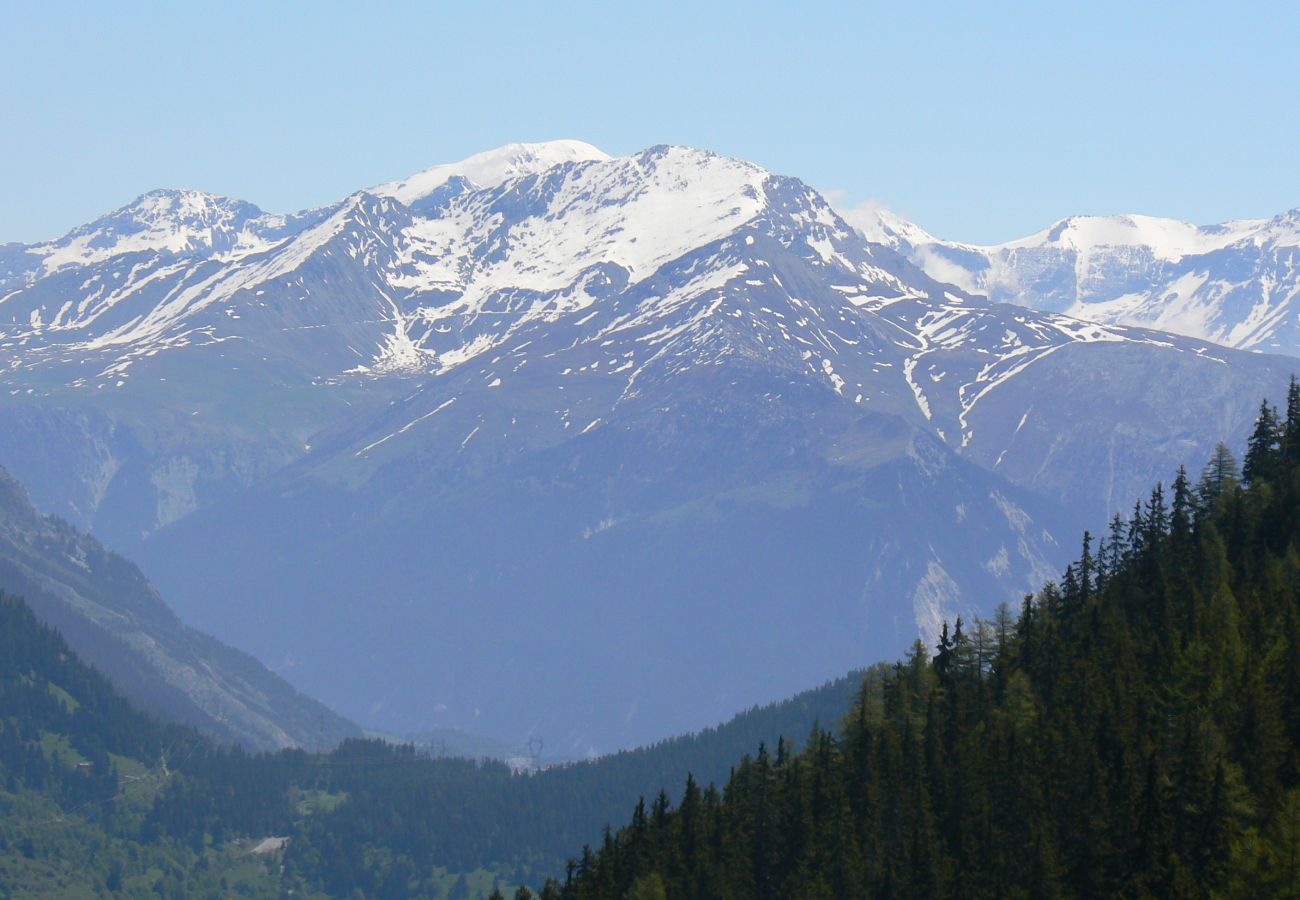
{"points": [[1234, 284]]}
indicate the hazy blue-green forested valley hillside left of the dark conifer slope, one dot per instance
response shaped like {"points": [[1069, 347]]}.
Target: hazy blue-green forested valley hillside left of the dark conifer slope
{"points": [[96, 797]]}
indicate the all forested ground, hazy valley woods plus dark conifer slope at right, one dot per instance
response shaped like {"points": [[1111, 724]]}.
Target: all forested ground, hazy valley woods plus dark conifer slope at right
{"points": [[1133, 730]]}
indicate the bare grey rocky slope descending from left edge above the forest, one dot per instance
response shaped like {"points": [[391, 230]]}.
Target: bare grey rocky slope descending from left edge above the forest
{"points": [[116, 621]]}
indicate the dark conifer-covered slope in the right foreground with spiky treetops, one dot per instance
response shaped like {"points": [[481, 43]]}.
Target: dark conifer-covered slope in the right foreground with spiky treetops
{"points": [[1132, 732]]}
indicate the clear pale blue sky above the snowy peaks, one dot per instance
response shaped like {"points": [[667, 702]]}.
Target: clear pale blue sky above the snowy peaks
{"points": [[981, 122]]}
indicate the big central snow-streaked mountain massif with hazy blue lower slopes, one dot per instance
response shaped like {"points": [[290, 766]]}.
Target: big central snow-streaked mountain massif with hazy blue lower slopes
{"points": [[474, 449]]}
